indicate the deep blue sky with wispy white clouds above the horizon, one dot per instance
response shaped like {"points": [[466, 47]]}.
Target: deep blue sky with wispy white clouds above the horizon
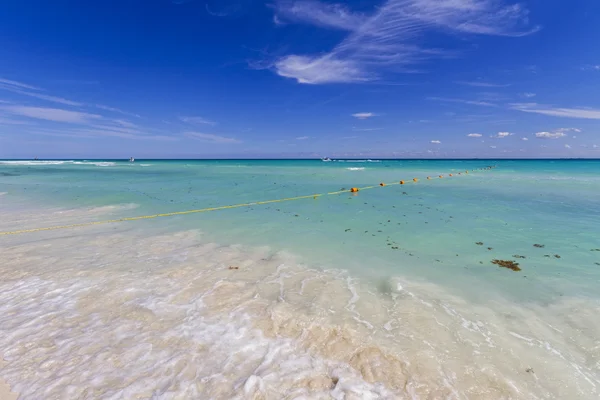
{"points": [[247, 78]]}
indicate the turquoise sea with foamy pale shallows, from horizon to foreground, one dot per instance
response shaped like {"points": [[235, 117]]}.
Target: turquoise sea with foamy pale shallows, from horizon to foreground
{"points": [[386, 293]]}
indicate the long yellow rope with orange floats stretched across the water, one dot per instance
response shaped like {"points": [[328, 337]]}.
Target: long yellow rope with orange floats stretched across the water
{"points": [[110, 221]]}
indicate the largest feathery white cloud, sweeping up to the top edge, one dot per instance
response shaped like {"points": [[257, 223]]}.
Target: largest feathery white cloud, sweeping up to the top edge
{"points": [[389, 37]]}
